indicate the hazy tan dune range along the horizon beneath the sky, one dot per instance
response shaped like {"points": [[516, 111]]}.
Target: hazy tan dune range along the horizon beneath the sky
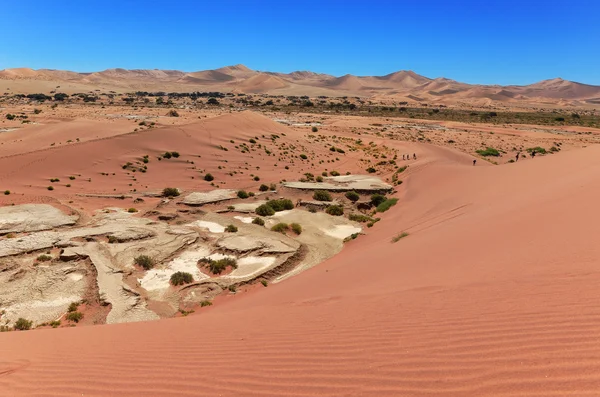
{"points": [[399, 86]]}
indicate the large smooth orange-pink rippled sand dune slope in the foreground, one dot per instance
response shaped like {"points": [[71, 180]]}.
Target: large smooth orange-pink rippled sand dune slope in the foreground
{"points": [[494, 293]]}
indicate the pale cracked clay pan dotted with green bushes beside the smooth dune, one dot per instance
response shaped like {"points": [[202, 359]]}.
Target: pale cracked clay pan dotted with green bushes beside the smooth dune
{"points": [[58, 268]]}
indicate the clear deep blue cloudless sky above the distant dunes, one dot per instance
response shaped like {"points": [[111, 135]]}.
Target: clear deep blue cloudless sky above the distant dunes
{"points": [[485, 41]]}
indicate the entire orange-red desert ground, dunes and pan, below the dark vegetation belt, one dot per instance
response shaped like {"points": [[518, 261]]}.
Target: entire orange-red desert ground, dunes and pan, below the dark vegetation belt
{"points": [[360, 255]]}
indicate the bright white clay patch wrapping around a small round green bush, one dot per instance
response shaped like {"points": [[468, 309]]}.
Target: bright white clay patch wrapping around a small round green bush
{"points": [[158, 279]]}
